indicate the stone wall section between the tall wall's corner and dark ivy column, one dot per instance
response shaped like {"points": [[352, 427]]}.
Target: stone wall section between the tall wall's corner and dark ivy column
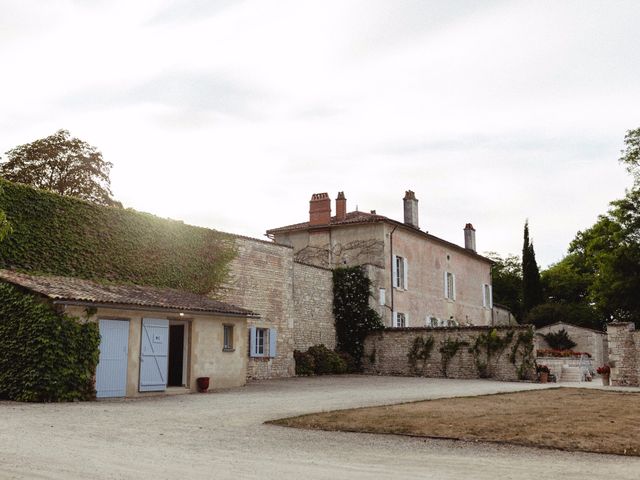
{"points": [[313, 307]]}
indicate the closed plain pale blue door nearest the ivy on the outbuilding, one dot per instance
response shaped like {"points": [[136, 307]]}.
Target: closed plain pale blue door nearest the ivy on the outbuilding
{"points": [[111, 373]]}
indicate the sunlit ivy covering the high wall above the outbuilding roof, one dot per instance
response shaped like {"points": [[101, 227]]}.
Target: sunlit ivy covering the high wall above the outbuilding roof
{"points": [[65, 236]]}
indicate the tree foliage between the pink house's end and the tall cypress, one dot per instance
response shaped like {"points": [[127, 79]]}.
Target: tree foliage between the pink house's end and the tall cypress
{"points": [[506, 278]]}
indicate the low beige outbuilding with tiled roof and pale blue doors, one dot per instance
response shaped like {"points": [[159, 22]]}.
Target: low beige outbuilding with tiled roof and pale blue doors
{"points": [[154, 340]]}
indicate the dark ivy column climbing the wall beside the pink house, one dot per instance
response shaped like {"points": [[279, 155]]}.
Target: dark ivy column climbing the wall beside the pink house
{"points": [[354, 318]]}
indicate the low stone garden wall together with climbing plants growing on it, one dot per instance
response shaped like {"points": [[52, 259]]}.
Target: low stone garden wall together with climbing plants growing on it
{"points": [[393, 352]]}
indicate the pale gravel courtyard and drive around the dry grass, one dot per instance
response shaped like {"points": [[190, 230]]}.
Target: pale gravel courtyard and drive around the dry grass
{"points": [[222, 435]]}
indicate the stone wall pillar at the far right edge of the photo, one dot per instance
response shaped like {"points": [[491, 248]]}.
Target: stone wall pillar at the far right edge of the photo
{"points": [[624, 354]]}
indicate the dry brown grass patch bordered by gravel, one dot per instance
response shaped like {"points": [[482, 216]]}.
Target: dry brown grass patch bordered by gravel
{"points": [[564, 418]]}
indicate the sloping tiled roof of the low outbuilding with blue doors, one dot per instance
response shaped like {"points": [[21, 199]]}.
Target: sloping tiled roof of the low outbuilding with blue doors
{"points": [[67, 289]]}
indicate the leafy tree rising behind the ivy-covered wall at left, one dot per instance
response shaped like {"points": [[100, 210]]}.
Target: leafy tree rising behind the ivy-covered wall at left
{"points": [[62, 164]]}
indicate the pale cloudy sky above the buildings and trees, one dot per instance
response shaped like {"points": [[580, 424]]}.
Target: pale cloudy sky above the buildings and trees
{"points": [[230, 114]]}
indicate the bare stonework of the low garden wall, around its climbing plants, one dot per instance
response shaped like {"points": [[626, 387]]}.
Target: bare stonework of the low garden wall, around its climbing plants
{"points": [[387, 353]]}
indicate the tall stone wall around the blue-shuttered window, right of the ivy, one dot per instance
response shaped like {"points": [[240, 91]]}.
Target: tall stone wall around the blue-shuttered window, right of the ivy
{"points": [[261, 280]]}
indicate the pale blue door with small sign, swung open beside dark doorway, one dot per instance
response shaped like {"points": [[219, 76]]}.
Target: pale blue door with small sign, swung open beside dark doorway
{"points": [[154, 354]]}
